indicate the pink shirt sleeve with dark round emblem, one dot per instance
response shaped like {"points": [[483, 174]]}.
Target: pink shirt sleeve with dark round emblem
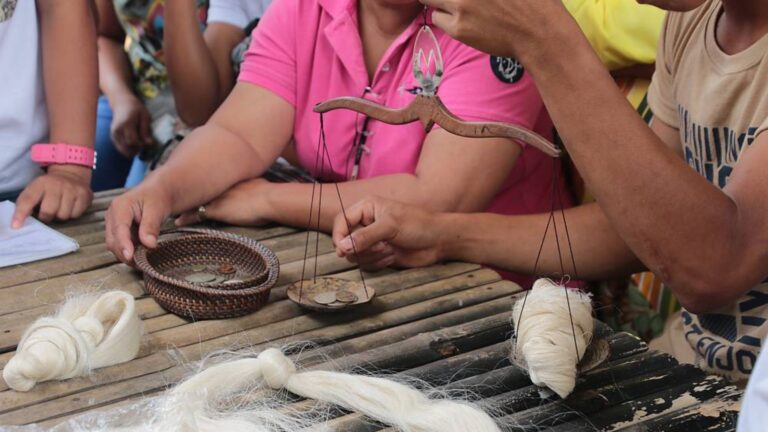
{"points": [[479, 87]]}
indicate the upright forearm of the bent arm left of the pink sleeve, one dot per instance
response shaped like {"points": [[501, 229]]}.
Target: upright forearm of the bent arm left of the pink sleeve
{"points": [[191, 67]]}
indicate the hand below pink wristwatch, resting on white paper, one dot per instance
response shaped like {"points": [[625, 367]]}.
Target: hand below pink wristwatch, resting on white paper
{"points": [[64, 192]]}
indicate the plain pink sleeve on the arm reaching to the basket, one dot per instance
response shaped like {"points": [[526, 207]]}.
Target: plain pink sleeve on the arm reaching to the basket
{"points": [[270, 62]]}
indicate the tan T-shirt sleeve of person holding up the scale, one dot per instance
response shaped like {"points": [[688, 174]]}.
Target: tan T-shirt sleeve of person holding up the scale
{"points": [[661, 97]]}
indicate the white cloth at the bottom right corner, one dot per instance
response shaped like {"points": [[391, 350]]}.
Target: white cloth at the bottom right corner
{"points": [[754, 408]]}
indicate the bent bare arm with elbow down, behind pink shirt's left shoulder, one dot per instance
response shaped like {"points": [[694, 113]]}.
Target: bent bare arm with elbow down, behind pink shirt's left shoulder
{"points": [[199, 64]]}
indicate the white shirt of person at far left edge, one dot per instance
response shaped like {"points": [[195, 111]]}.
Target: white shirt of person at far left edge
{"points": [[23, 114]]}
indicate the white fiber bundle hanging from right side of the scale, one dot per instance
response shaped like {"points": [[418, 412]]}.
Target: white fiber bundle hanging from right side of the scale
{"points": [[545, 339]]}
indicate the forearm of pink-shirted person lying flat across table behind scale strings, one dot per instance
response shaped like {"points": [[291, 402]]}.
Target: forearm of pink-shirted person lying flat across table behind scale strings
{"points": [[289, 203]]}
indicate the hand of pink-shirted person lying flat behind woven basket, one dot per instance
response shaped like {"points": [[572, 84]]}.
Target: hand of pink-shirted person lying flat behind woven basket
{"points": [[244, 204]]}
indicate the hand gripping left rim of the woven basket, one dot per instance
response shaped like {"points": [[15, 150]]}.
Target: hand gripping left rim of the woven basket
{"points": [[147, 207]]}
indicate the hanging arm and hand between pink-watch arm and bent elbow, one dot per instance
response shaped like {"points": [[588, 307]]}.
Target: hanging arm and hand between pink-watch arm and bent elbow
{"points": [[132, 124]]}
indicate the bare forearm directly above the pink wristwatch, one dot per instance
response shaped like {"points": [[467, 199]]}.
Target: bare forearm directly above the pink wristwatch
{"points": [[70, 70]]}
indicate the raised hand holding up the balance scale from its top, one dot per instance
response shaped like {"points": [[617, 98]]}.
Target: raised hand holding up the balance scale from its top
{"points": [[499, 27]]}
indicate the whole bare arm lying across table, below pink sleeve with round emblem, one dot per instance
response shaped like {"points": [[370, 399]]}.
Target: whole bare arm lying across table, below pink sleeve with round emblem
{"points": [[453, 174]]}
